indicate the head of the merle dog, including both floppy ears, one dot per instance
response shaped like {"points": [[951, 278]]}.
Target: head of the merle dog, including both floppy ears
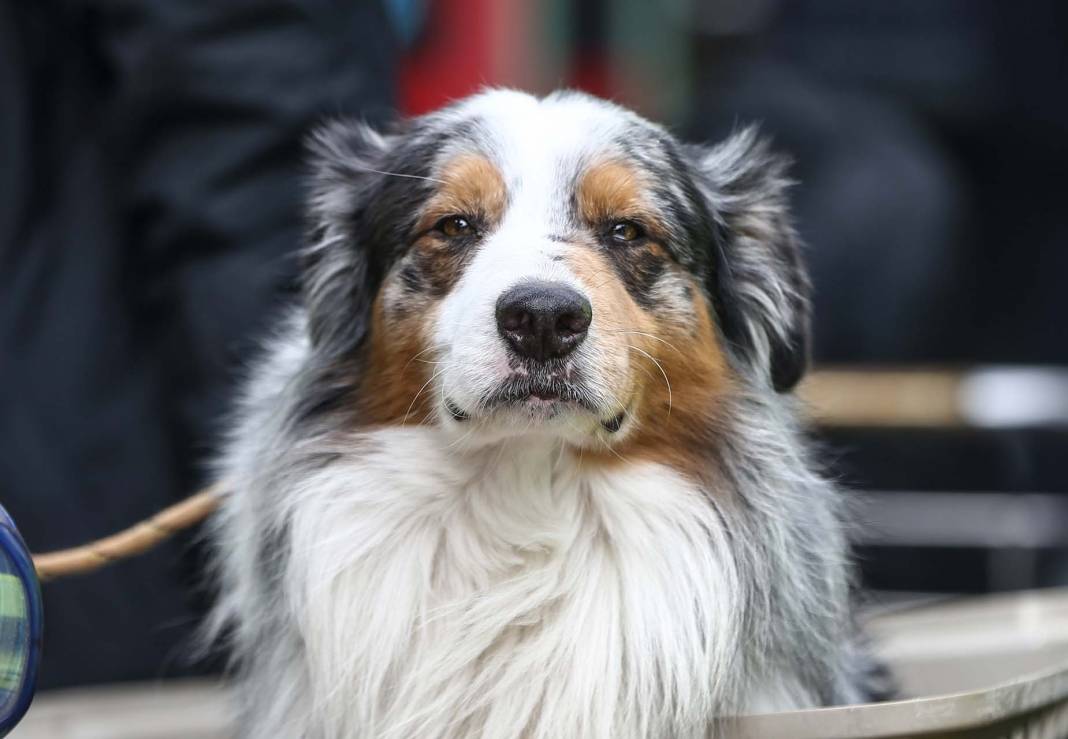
{"points": [[560, 266]]}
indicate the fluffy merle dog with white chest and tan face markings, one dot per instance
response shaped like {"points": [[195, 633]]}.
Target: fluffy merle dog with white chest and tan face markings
{"points": [[525, 462]]}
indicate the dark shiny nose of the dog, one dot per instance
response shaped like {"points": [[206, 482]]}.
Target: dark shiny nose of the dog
{"points": [[543, 321]]}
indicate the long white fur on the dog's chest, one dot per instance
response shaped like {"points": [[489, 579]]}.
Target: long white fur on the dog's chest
{"points": [[510, 593]]}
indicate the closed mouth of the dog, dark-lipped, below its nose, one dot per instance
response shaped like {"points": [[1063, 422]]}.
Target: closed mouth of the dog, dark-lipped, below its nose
{"points": [[543, 398]]}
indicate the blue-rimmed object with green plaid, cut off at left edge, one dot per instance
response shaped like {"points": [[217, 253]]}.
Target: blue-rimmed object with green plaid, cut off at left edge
{"points": [[21, 626]]}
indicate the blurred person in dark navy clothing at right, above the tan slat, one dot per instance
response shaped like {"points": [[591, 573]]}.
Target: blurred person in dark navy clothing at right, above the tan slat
{"points": [[930, 148]]}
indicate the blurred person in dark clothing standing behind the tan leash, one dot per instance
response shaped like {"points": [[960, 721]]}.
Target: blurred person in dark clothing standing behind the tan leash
{"points": [[151, 174]]}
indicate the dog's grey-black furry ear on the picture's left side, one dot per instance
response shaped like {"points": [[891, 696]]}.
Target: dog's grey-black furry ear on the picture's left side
{"points": [[339, 271]]}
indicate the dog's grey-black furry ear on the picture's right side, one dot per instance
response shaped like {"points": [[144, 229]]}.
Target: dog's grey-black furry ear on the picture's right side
{"points": [[758, 282]]}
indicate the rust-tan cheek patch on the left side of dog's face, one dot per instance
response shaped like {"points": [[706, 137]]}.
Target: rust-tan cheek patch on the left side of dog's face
{"points": [[392, 388]]}
